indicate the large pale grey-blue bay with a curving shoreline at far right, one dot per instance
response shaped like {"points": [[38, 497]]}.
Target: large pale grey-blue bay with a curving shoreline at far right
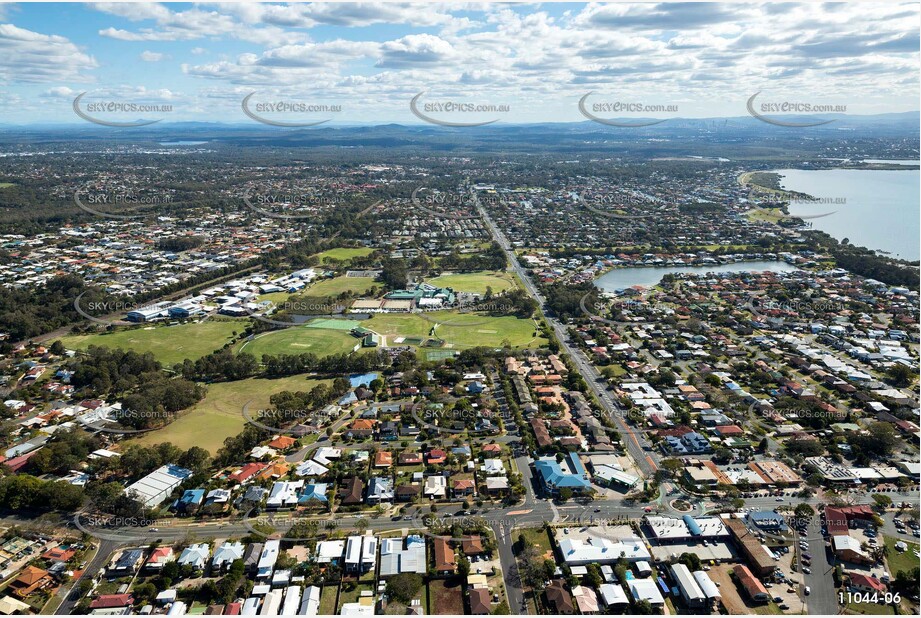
{"points": [[879, 210]]}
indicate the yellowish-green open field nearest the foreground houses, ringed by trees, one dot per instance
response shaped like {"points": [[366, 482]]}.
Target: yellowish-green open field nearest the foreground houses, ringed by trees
{"points": [[220, 414]]}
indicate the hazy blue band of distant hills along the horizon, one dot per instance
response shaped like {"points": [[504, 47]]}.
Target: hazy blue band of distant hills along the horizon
{"points": [[674, 136]]}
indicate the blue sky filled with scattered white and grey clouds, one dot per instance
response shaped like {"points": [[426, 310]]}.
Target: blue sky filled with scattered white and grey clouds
{"points": [[365, 62]]}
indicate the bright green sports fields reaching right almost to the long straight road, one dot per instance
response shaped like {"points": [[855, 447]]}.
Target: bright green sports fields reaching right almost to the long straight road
{"points": [[464, 331]]}
